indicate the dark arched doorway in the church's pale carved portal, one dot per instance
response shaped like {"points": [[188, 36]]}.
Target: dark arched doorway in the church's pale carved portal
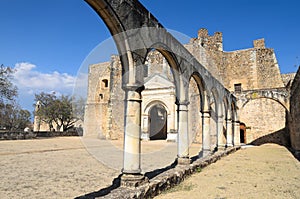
{"points": [[158, 123]]}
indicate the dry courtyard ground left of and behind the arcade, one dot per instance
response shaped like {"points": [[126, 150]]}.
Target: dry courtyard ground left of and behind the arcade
{"points": [[67, 167]]}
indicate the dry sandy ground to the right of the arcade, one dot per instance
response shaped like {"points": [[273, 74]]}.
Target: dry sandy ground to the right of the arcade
{"points": [[268, 171]]}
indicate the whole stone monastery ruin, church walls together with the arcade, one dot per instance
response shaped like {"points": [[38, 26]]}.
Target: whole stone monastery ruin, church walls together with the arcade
{"points": [[195, 92]]}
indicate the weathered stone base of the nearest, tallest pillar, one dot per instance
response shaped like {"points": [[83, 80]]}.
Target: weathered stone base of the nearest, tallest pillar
{"points": [[133, 180]]}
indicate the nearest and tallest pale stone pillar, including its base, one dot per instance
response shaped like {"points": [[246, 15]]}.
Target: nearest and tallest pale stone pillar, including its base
{"points": [[131, 172]]}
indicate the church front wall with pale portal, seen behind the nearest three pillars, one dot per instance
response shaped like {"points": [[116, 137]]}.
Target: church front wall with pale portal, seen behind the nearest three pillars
{"points": [[104, 110]]}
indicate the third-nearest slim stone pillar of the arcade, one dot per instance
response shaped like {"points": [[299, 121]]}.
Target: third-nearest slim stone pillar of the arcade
{"points": [[205, 134]]}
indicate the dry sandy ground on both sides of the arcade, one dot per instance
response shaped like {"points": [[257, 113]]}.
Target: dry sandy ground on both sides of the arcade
{"points": [[69, 167]]}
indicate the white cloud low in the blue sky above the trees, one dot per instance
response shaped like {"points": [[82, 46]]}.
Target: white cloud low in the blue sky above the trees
{"points": [[30, 81]]}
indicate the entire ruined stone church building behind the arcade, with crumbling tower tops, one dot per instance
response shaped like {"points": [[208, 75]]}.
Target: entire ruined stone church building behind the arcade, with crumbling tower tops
{"points": [[252, 75]]}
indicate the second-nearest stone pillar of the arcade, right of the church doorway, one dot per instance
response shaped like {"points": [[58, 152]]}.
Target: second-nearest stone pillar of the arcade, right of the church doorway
{"points": [[183, 134]]}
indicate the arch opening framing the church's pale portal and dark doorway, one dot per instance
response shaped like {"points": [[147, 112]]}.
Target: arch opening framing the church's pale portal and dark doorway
{"points": [[159, 89]]}
